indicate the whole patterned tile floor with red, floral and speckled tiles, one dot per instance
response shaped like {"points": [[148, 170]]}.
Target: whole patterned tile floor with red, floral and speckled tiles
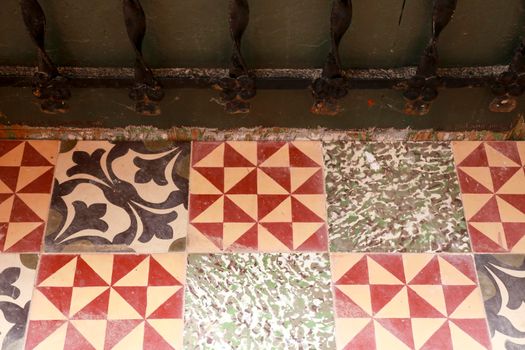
{"points": [[262, 245]]}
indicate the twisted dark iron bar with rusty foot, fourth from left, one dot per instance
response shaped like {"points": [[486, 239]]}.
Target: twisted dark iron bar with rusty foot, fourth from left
{"points": [[332, 85]]}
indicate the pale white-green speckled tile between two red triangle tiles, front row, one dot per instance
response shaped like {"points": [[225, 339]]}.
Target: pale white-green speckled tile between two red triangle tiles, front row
{"points": [[259, 301]]}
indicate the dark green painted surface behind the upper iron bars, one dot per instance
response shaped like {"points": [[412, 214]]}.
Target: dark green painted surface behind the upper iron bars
{"points": [[282, 33]]}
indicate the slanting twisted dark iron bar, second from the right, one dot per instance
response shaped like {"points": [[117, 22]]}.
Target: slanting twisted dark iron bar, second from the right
{"points": [[422, 89]]}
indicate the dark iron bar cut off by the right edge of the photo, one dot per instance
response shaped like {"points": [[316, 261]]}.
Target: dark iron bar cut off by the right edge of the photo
{"points": [[509, 85]]}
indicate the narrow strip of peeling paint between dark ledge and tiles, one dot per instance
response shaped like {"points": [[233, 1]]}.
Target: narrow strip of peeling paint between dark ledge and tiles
{"points": [[190, 133]]}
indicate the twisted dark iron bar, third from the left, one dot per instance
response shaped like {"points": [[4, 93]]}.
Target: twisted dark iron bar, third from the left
{"points": [[239, 86]]}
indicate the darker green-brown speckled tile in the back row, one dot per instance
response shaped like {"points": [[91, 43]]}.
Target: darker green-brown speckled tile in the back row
{"points": [[393, 197]]}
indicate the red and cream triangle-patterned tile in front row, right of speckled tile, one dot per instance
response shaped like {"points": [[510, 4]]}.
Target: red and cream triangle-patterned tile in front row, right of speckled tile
{"points": [[408, 301]]}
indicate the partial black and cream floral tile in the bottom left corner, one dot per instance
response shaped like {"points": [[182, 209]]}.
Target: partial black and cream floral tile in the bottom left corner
{"points": [[17, 275]]}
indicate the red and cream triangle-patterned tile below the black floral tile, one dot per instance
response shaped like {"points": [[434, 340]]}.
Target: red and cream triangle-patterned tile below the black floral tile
{"points": [[108, 301]]}
